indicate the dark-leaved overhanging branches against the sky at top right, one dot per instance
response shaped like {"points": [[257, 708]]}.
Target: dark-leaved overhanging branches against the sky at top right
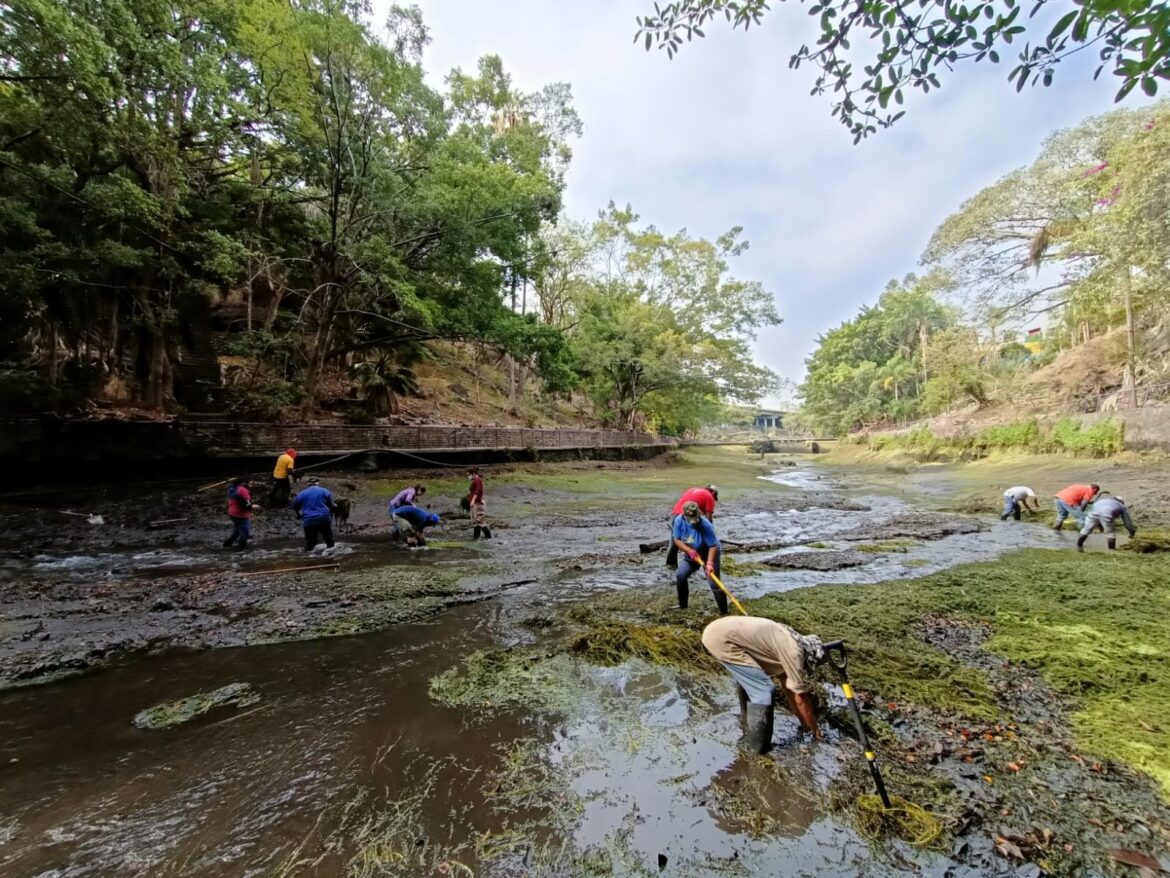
{"points": [[911, 45]]}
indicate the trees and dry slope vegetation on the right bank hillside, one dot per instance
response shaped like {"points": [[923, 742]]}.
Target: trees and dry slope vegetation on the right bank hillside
{"points": [[1047, 293]]}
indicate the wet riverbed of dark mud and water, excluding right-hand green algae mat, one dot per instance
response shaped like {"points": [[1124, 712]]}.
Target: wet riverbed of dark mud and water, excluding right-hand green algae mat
{"points": [[348, 765]]}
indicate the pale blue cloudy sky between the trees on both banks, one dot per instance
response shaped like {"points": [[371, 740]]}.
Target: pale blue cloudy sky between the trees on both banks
{"points": [[727, 135]]}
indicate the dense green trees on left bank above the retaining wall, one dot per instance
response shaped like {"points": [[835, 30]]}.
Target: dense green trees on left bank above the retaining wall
{"points": [[276, 186]]}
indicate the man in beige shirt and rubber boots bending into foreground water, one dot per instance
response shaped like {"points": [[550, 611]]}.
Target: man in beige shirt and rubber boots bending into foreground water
{"points": [[754, 651]]}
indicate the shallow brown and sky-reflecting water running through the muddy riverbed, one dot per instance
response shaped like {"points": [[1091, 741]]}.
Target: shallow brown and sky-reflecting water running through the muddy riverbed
{"points": [[636, 766]]}
